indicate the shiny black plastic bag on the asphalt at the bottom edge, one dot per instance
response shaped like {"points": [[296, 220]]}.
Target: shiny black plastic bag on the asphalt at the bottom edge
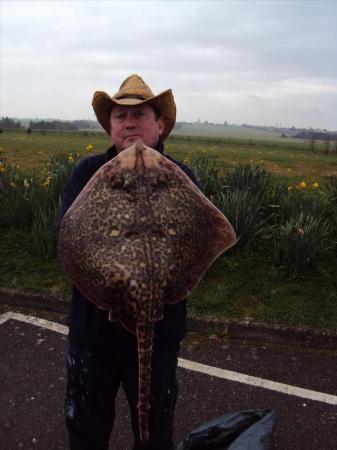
{"points": [[244, 430]]}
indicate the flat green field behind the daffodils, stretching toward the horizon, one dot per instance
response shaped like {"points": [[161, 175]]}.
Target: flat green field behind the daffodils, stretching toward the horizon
{"points": [[288, 161]]}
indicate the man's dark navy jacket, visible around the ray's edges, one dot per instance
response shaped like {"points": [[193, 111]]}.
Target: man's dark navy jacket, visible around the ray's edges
{"points": [[172, 328]]}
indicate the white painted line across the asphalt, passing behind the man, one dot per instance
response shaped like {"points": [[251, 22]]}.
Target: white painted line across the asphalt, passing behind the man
{"points": [[197, 367]]}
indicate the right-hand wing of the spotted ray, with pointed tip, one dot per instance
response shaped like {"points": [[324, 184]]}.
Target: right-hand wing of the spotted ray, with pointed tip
{"points": [[196, 233]]}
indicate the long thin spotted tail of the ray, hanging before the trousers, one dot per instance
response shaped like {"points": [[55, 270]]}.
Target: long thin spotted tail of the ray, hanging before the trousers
{"points": [[145, 339]]}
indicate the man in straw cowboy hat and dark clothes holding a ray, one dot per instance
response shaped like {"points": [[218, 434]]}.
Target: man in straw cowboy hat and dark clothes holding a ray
{"points": [[102, 354]]}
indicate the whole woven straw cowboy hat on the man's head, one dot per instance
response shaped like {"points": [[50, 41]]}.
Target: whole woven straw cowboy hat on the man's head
{"points": [[134, 91]]}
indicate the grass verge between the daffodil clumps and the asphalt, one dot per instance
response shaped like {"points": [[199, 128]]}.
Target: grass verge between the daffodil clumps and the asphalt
{"points": [[238, 285]]}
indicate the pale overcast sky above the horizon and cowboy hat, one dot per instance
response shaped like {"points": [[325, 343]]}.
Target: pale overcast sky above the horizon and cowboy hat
{"points": [[269, 62]]}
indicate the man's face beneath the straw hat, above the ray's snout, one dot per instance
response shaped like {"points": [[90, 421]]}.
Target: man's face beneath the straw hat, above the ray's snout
{"points": [[130, 124]]}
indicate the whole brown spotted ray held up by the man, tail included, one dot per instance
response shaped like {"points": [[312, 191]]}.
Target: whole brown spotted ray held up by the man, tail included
{"points": [[138, 236]]}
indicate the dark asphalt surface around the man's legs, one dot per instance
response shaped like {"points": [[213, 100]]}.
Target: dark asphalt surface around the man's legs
{"points": [[33, 377]]}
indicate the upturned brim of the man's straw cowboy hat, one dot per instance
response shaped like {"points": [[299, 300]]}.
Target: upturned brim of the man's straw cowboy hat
{"points": [[163, 103]]}
